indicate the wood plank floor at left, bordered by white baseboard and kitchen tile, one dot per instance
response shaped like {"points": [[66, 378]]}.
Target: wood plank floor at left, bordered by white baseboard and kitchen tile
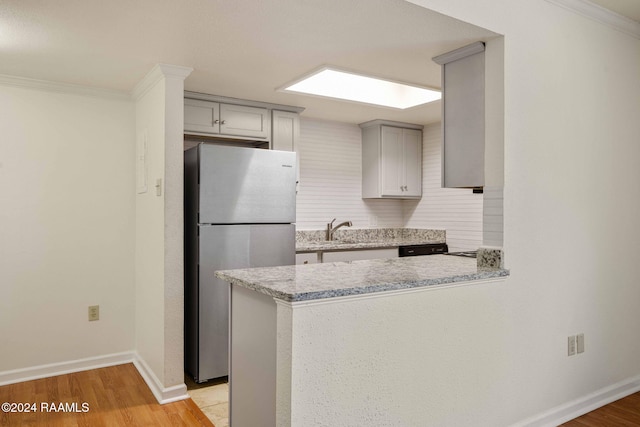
{"points": [[114, 396]]}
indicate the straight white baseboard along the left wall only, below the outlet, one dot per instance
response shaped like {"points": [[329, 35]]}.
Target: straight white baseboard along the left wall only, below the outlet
{"points": [[61, 368]]}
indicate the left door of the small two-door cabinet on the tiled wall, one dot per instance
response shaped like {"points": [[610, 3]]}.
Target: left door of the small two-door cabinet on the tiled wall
{"points": [[392, 176]]}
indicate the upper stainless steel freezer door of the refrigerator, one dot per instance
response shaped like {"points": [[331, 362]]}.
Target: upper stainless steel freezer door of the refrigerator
{"points": [[246, 185]]}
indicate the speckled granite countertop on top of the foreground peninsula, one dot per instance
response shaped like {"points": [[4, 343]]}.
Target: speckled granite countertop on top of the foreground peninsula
{"points": [[319, 281]]}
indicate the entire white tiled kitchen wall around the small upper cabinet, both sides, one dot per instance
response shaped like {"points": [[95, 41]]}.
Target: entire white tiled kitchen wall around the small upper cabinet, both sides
{"points": [[330, 187]]}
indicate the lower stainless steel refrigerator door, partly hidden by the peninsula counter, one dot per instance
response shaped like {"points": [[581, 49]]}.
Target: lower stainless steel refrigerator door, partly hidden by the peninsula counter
{"points": [[224, 247]]}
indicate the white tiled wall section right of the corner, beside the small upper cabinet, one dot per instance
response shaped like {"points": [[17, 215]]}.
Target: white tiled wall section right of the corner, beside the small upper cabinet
{"points": [[456, 210]]}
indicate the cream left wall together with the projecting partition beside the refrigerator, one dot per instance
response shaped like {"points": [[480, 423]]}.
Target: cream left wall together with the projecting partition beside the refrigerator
{"points": [[74, 234]]}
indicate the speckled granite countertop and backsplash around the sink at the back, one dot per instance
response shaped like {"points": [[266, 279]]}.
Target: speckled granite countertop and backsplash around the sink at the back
{"points": [[374, 238]]}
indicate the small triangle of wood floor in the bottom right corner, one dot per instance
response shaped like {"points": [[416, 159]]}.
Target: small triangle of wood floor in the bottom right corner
{"points": [[621, 413]]}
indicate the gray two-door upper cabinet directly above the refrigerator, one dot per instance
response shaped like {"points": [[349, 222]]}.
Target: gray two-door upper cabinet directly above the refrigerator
{"points": [[213, 118]]}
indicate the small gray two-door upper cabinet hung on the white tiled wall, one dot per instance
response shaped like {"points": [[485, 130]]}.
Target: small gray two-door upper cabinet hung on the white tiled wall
{"points": [[391, 160]]}
